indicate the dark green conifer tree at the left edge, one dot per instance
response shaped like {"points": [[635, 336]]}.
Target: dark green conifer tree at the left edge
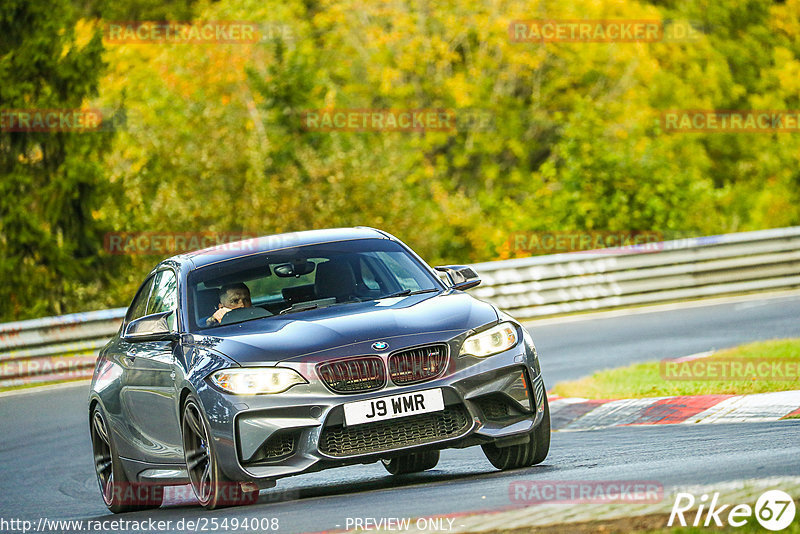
{"points": [[51, 182]]}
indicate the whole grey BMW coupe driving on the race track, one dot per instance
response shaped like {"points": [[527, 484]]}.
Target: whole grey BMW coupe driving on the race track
{"points": [[245, 363]]}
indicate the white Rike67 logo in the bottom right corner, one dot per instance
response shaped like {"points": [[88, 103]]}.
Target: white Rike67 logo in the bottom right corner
{"points": [[774, 510]]}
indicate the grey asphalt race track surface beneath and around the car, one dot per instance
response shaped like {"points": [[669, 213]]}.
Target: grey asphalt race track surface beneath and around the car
{"points": [[46, 467]]}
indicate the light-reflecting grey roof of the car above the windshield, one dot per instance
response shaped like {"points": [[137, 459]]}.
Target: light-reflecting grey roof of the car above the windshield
{"points": [[246, 247]]}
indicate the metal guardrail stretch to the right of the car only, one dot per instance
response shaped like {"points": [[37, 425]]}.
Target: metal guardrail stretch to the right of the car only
{"points": [[674, 270]]}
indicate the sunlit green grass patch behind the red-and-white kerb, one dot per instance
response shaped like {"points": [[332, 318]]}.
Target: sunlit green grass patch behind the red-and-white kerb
{"points": [[653, 379]]}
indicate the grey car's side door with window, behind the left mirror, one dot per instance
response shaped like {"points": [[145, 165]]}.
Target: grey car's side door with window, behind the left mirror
{"points": [[149, 398]]}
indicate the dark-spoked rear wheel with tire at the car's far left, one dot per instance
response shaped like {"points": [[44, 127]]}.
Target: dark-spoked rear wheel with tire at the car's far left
{"points": [[119, 494]]}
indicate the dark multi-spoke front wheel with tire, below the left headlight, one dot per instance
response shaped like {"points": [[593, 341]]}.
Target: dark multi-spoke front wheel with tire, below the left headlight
{"points": [[210, 485]]}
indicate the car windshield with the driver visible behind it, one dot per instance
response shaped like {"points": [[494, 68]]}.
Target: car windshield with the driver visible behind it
{"points": [[302, 278]]}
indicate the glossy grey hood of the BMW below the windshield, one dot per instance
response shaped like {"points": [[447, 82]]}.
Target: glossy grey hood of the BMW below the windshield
{"points": [[345, 329]]}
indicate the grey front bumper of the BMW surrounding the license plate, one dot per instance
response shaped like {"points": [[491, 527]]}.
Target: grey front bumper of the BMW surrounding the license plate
{"points": [[261, 438]]}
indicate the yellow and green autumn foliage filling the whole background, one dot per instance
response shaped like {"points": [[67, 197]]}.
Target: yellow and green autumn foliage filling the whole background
{"points": [[547, 136]]}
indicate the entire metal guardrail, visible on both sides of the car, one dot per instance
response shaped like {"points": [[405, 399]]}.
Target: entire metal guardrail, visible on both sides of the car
{"points": [[65, 347]]}
